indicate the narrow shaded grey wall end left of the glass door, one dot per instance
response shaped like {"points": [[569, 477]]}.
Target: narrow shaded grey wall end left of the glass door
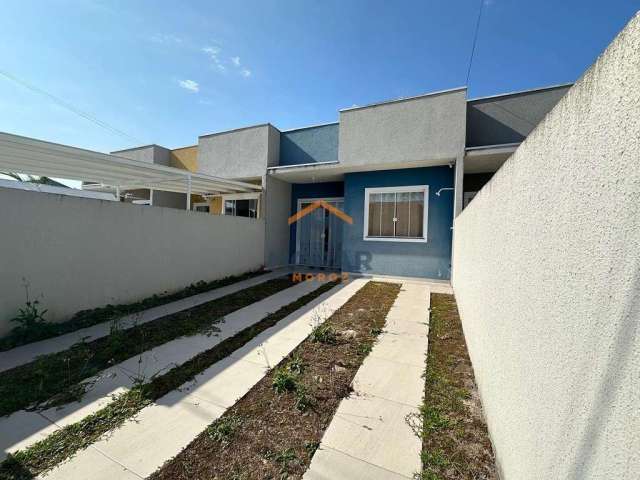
{"points": [[277, 201]]}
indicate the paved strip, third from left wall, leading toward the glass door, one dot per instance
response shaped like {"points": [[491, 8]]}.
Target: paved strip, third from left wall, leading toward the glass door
{"points": [[162, 430]]}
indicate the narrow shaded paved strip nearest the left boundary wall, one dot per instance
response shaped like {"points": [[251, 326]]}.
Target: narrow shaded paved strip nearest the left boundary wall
{"points": [[27, 353]]}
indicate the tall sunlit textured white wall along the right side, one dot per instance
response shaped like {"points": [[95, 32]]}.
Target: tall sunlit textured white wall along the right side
{"points": [[547, 278]]}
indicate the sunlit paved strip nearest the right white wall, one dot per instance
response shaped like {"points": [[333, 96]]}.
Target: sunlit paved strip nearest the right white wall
{"points": [[368, 437]]}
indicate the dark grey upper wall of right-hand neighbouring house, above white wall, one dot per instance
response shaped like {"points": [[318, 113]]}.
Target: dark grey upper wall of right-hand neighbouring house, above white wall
{"points": [[509, 118]]}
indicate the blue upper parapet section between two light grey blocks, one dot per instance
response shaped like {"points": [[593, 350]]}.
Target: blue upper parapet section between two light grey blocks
{"points": [[309, 145]]}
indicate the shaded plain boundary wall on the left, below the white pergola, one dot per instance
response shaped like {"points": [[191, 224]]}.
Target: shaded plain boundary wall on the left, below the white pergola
{"points": [[79, 253]]}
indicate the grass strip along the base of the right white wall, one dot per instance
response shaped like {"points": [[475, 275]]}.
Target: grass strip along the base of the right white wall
{"points": [[455, 441]]}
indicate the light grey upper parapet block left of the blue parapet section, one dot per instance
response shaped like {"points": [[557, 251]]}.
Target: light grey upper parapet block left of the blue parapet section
{"points": [[243, 153]]}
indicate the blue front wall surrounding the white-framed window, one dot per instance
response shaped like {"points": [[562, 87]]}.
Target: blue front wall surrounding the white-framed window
{"points": [[431, 259]]}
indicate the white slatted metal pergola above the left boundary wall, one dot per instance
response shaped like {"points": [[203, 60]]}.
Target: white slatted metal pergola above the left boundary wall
{"points": [[37, 157]]}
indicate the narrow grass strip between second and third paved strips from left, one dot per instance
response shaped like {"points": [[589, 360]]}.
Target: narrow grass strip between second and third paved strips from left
{"points": [[62, 444]]}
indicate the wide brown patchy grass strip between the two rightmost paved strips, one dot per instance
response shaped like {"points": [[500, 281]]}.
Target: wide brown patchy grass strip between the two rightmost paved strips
{"points": [[273, 431]]}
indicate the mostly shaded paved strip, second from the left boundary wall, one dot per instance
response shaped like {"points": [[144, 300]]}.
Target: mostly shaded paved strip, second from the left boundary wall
{"points": [[25, 428]]}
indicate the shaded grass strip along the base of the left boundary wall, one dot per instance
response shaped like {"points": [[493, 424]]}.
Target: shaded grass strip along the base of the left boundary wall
{"points": [[86, 318]]}
